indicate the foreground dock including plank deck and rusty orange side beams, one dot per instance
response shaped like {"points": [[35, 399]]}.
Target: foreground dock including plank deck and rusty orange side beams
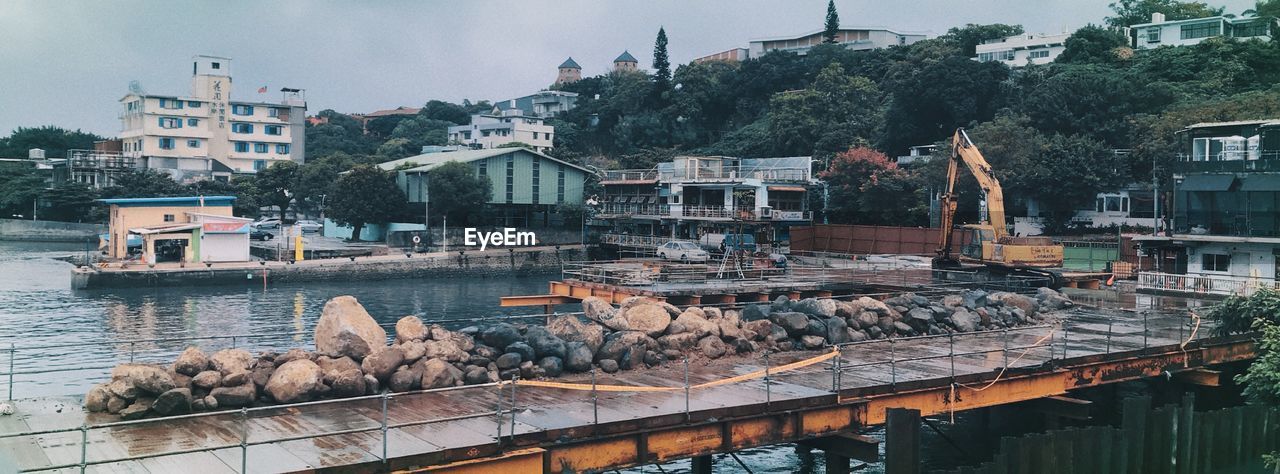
{"points": [[474, 429]]}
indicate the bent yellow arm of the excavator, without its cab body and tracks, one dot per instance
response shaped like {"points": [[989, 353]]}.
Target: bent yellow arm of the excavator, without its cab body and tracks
{"points": [[964, 151]]}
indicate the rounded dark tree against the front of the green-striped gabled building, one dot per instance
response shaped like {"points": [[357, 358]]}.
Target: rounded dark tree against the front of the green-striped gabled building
{"points": [[458, 192]]}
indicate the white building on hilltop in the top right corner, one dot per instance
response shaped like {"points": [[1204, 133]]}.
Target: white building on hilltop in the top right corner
{"points": [[1185, 33]]}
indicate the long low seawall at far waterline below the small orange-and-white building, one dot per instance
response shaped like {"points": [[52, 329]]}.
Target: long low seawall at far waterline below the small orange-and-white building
{"points": [[493, 263]]}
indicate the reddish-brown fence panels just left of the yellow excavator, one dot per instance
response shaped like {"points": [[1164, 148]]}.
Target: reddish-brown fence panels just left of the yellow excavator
{"points": [[871, 239]]}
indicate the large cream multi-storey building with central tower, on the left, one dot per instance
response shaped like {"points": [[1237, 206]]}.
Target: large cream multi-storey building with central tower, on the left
{"points": [[207, 134]]}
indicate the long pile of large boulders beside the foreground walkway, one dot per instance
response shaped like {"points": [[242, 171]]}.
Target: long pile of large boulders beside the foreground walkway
{"points": [[353, 355]]}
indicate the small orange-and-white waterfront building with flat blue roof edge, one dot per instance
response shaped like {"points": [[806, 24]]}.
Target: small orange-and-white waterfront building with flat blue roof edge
{"points": [[186, 230]]}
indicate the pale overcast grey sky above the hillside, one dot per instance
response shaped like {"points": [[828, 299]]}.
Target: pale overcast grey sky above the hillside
{"points": [[67, 63]]}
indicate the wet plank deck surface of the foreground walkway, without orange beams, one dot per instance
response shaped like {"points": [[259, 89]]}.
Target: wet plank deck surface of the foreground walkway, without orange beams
{"points": [[472, 425]]}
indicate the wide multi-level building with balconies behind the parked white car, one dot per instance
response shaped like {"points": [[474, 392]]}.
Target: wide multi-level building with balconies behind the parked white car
{"points": [[694, 197]]}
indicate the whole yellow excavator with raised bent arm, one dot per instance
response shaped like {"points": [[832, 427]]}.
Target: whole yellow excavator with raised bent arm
{"points": [[991, 252]]}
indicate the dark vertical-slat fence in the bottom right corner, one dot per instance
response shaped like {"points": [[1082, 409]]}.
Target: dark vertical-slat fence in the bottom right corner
{"points": [[1169, 440]]}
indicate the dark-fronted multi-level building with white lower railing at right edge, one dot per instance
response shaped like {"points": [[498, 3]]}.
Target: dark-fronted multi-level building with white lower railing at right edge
{"points": [[1226, 211]]}
